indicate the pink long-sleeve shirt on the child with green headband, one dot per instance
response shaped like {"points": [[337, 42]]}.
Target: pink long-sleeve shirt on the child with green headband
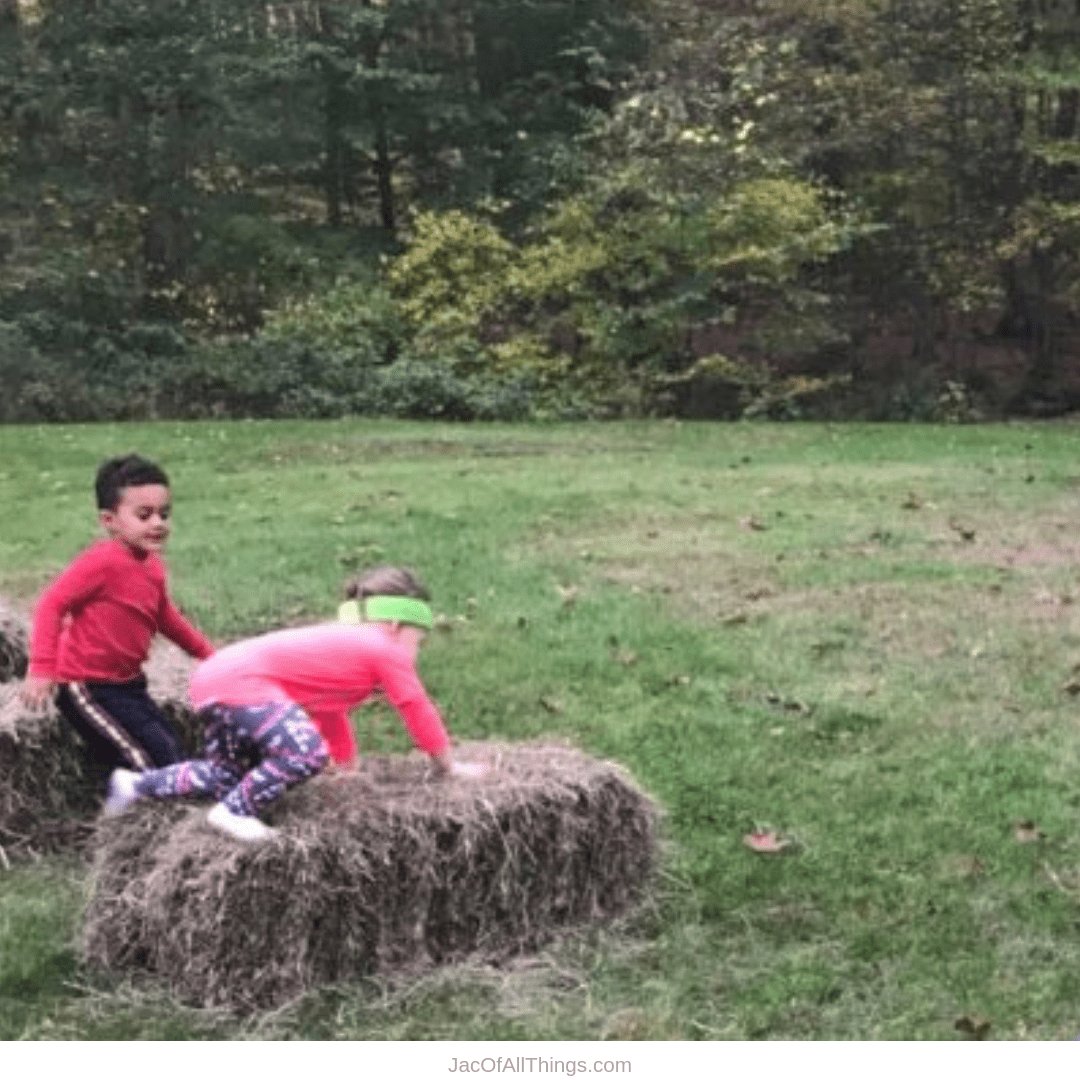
{"points": [[328, 671]]}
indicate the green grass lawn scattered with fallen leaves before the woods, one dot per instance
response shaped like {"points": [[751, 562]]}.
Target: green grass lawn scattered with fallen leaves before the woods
{"points": [[861, 637]]}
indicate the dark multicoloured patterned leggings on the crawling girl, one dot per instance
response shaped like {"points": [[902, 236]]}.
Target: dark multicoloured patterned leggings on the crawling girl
{"points": [[252, 754]]}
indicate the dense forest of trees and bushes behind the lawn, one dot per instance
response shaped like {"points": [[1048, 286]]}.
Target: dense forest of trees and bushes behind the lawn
{"points": [[515, 209]]}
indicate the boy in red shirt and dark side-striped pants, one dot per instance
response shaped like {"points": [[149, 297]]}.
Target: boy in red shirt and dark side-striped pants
{"points": [[93, 626]]}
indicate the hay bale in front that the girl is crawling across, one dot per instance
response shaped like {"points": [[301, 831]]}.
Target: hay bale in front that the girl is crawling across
{"points": [[380, 870]]}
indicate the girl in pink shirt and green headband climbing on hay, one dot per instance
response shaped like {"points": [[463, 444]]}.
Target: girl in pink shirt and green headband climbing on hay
{"points": [[277, 707]]}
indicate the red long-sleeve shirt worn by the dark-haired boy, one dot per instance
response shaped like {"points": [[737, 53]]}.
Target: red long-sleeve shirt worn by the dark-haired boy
{"points": [[98, 619]]}
